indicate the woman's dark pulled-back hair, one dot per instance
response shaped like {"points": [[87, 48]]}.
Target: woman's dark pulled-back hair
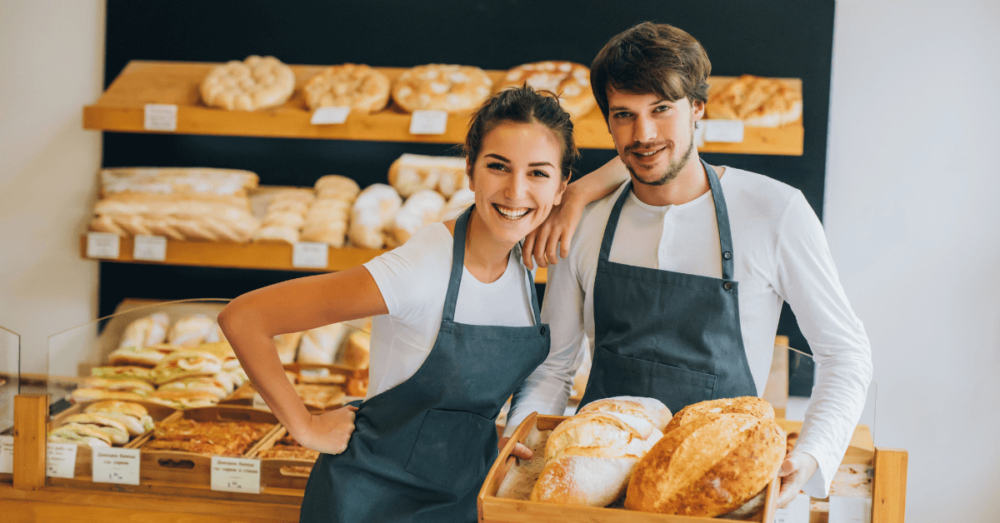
{"points": [[523, 105]]}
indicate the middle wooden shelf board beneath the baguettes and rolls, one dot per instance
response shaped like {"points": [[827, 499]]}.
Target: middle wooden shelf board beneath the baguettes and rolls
{"points": [[268, 256]]}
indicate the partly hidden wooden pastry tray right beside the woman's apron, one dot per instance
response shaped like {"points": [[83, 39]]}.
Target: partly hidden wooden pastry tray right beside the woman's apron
{"points": [[283, 462]]}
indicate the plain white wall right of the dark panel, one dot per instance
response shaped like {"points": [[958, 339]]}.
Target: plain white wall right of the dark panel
{"points": [[912, 218]]}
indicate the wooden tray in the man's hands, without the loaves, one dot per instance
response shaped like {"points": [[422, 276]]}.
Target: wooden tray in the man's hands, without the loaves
{"points": [[493, 508]]}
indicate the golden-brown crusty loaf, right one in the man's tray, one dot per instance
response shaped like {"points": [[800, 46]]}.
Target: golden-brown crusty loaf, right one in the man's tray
{"points": [[708, 466]]}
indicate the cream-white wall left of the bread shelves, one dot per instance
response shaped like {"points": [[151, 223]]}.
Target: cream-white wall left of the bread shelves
{"points": [[51, 65]]}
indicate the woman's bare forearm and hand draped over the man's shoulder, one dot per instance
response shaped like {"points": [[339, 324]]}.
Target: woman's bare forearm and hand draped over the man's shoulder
{"points": [[561, 224]]}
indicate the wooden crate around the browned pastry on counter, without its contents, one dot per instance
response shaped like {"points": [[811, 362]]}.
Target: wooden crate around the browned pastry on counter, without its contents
{"points": [[196, 469]]}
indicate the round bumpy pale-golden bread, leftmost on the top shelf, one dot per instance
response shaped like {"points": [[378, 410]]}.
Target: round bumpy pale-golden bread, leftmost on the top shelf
{"points": [[255, 83]]}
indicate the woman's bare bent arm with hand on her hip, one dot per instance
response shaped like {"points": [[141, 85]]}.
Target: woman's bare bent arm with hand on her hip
{"points": [[251, 321]]}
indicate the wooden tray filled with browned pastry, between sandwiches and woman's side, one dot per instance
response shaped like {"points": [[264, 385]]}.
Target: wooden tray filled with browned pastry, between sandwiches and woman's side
{"points": [[181, 447]]}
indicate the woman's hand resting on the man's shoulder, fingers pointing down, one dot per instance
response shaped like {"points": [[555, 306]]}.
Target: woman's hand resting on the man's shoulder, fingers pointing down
{"points": [[556, 230]]}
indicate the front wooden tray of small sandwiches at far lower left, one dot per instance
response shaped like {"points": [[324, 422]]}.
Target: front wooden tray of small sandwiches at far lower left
{"points": [[94, 415]]}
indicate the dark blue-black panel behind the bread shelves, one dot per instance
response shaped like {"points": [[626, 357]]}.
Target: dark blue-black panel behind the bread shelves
{"points": [[783, 38]]}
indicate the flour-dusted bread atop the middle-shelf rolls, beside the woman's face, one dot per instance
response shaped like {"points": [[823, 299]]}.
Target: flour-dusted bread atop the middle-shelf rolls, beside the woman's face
{"points": [[413, 172]]}
